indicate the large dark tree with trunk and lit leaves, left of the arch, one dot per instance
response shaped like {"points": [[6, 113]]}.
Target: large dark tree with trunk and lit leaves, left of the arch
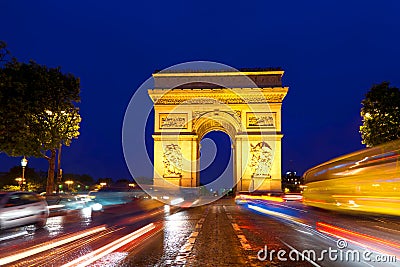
{"points": [[37, 111]]}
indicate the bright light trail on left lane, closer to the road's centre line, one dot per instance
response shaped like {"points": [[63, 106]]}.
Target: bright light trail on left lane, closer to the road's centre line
{"points": [[105, 250]]}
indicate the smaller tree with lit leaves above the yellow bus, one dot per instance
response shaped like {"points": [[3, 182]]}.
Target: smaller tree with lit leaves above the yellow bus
{"points": [[381, 115]]}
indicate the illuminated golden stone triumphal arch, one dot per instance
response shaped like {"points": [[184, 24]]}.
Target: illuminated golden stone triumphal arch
{"points": [[244, 104]]}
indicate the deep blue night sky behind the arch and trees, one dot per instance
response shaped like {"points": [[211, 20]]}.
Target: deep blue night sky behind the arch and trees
{"points": [[332, 53]]}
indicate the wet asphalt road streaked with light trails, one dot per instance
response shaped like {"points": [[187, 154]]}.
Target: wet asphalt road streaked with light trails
{"points": [[255, 233]]}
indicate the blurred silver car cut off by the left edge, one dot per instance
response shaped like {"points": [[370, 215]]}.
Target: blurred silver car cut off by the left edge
{"points": [[22, 208]]}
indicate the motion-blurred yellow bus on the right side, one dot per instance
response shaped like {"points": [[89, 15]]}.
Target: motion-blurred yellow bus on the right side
{"points": [[366, 181]]}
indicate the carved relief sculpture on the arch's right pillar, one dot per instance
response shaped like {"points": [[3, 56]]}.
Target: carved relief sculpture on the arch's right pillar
{"points": [[261, 159]]}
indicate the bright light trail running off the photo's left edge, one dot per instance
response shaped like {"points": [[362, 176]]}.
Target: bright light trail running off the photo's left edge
{"points": [[50, 245]]}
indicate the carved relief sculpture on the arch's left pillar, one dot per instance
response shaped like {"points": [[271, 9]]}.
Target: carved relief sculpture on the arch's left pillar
{"points": [[172, 161]]}
